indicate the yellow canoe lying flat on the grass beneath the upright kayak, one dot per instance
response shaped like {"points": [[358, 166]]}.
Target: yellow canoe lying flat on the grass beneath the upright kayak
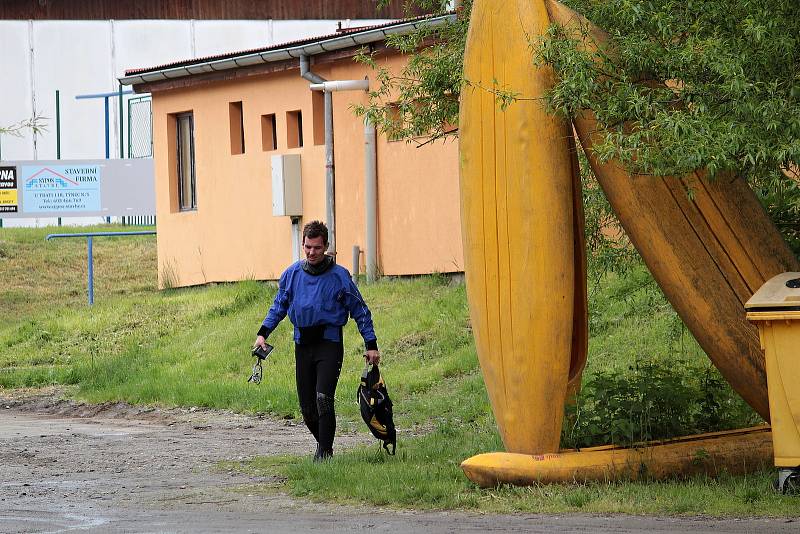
{"points": [[733, 452]]}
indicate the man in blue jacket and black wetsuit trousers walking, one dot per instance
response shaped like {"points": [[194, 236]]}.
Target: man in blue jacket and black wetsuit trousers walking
{"points": [[318, 296]]}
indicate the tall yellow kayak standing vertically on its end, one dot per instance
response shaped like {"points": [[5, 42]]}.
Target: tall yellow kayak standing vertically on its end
{"points": [[522, 229]]}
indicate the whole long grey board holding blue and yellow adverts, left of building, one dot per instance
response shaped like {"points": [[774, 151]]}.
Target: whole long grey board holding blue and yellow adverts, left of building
{"points": [[77, 188]]}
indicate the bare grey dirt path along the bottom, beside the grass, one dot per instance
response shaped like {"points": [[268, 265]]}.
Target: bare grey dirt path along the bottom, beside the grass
{"points": [[67, 467]]}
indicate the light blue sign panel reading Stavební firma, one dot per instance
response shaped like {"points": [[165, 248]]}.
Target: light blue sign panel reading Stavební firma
{"points": [[60, 188]]}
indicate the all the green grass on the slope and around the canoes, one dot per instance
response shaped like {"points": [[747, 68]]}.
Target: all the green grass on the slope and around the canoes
{"points": [[189, 347]]}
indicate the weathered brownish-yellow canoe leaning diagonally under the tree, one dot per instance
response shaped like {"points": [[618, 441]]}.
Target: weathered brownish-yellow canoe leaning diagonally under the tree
{"points": [[709, 255]]}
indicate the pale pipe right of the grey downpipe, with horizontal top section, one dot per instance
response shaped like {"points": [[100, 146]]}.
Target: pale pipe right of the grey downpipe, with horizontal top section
{"points": [[370, 170]]}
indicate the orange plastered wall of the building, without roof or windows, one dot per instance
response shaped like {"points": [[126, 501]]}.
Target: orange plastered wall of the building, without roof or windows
{"points": [[233, 235]]}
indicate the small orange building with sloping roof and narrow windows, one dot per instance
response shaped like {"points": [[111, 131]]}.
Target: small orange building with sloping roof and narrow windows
{"points": [[218, 122]]}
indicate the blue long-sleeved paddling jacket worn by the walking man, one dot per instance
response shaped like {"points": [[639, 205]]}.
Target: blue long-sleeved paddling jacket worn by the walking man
{"points": [[319, 305]]}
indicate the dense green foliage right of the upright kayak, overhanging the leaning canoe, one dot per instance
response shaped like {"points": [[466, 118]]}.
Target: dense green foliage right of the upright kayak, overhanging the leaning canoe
{"points": [[687, 85]]}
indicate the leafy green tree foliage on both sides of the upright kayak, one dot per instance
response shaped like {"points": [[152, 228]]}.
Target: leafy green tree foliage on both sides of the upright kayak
{"points": [[726, 97]]}
